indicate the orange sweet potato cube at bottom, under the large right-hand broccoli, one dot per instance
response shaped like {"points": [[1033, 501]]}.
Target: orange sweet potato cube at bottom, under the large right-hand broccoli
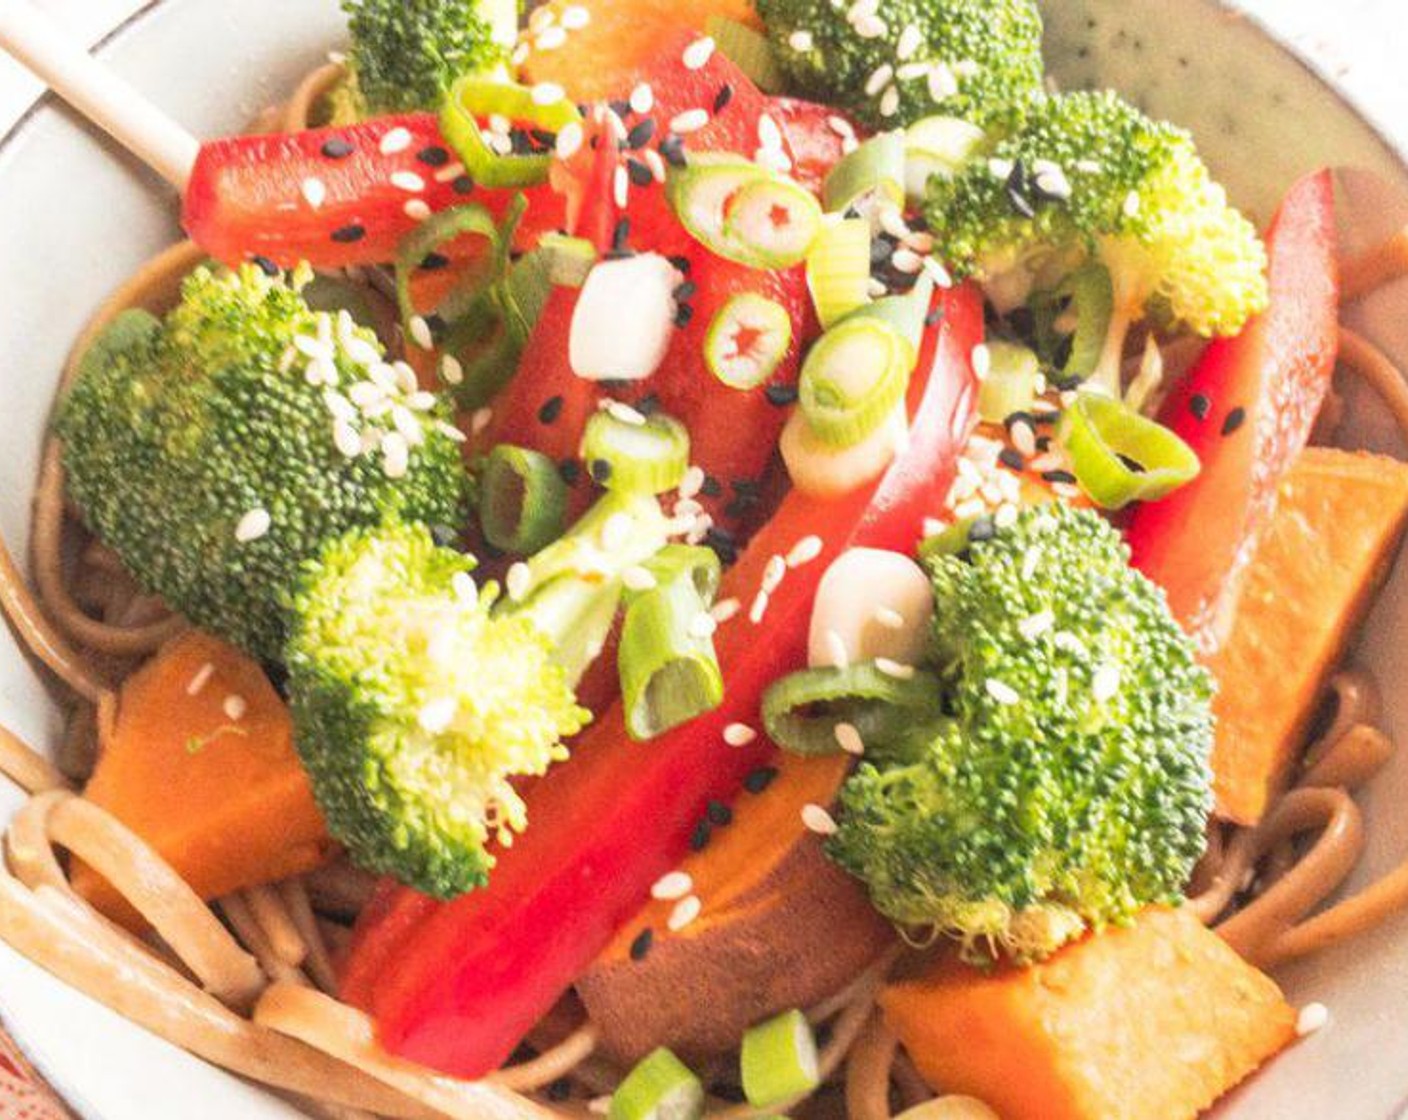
{"points": [[1154, 1022]]}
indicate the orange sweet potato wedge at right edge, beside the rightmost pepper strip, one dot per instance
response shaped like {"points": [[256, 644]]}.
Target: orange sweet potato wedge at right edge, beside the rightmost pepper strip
{"points": [[1330, 546]]}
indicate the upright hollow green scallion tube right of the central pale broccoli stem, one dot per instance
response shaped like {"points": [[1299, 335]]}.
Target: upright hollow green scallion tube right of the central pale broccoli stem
{"points": [[670, 670]]}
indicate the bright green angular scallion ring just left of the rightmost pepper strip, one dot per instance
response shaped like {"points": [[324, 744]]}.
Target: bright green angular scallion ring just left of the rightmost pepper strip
{"points": [[1121, 457]]}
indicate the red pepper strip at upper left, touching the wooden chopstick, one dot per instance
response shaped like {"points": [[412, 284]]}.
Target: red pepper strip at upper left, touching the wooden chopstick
{"points": [[249, 197]]}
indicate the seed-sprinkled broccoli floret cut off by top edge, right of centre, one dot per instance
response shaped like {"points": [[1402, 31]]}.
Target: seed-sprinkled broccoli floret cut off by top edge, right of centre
{"points": [[895, 64]]}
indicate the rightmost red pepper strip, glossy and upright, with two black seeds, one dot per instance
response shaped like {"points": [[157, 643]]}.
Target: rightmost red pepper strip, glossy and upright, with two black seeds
{"points": [[1247, 409]]}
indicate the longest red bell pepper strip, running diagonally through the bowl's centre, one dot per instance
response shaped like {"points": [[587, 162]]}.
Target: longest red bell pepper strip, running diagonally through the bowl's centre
{"points": [[457, 985]]}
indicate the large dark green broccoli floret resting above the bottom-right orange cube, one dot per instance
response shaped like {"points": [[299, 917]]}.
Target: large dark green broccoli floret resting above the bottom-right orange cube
{"points": [[1068, 784]]}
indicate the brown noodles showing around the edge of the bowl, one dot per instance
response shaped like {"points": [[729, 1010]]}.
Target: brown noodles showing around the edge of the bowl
{"points": [[196, 977]]}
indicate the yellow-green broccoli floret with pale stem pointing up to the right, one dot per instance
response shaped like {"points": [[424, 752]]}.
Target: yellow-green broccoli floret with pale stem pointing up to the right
{"points": [[419, 698]]}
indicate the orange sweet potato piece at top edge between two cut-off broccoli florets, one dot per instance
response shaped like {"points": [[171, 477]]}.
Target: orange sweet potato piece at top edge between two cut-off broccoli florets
{"points": [[622, 39]]}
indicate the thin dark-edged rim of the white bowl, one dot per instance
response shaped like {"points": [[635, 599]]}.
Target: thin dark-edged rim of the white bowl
{"points": [[1392, 144]]}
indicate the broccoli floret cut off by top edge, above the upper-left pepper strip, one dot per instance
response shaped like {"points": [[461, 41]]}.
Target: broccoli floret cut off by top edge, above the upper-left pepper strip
{"points": [[406, 54]]}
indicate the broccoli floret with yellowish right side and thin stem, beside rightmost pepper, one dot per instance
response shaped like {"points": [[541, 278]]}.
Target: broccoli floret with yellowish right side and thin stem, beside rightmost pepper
{"points": [[1090, 177]]}
